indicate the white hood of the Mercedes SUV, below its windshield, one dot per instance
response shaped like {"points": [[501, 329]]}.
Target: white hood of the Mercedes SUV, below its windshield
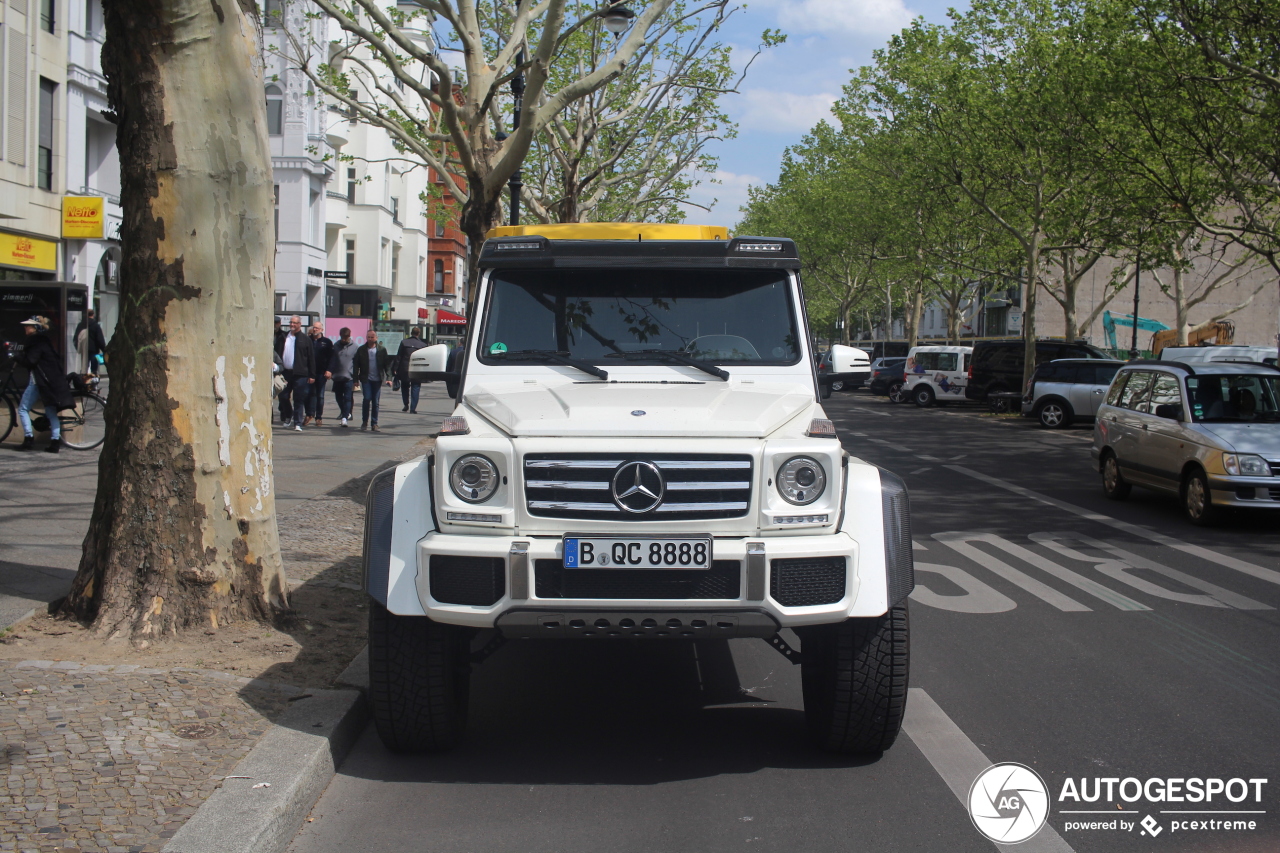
{"points": [[730, 410]]}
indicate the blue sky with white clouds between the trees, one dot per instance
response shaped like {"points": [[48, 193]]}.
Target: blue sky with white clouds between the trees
{"points": [[792, 88]]}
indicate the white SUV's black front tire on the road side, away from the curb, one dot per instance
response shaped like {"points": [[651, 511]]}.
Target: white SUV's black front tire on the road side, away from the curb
{"points": [[854, 677]]}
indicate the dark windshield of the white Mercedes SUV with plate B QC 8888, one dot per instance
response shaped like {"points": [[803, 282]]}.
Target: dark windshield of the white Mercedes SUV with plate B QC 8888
{"points": [[610, 316]]}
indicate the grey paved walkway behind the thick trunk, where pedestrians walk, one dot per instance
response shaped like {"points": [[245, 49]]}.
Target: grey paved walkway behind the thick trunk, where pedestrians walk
{"points": [[47, 500]]}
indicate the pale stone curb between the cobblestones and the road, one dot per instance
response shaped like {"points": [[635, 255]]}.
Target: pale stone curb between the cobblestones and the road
{"points": [[296, 759]]}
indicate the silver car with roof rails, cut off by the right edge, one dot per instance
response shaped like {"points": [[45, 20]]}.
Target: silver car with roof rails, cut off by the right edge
{"points": [[1209, 434]]}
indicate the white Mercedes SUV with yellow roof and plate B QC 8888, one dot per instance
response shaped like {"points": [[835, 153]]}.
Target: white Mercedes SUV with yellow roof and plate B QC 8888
{"points": [[638, 454]]}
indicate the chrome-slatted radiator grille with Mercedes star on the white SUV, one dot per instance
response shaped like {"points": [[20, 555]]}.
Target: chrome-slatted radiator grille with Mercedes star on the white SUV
{"points": [[584, 486]]}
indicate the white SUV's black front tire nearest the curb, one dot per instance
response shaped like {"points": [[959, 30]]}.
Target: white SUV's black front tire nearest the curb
{"points": [[419, 679]]}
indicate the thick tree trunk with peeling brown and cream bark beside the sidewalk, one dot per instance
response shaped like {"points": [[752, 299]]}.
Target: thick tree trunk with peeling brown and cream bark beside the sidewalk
{"points": [[184, 527]]}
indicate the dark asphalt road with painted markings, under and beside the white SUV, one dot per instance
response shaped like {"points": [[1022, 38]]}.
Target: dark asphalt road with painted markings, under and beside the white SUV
{"points": [[1084, 638]]}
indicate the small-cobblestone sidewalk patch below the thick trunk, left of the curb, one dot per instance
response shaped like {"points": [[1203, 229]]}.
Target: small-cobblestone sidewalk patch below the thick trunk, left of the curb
{"points": [[118, 758]]}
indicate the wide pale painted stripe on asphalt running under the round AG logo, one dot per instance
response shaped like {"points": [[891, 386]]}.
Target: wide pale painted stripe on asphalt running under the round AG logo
{"points": [[959, 763]]}
